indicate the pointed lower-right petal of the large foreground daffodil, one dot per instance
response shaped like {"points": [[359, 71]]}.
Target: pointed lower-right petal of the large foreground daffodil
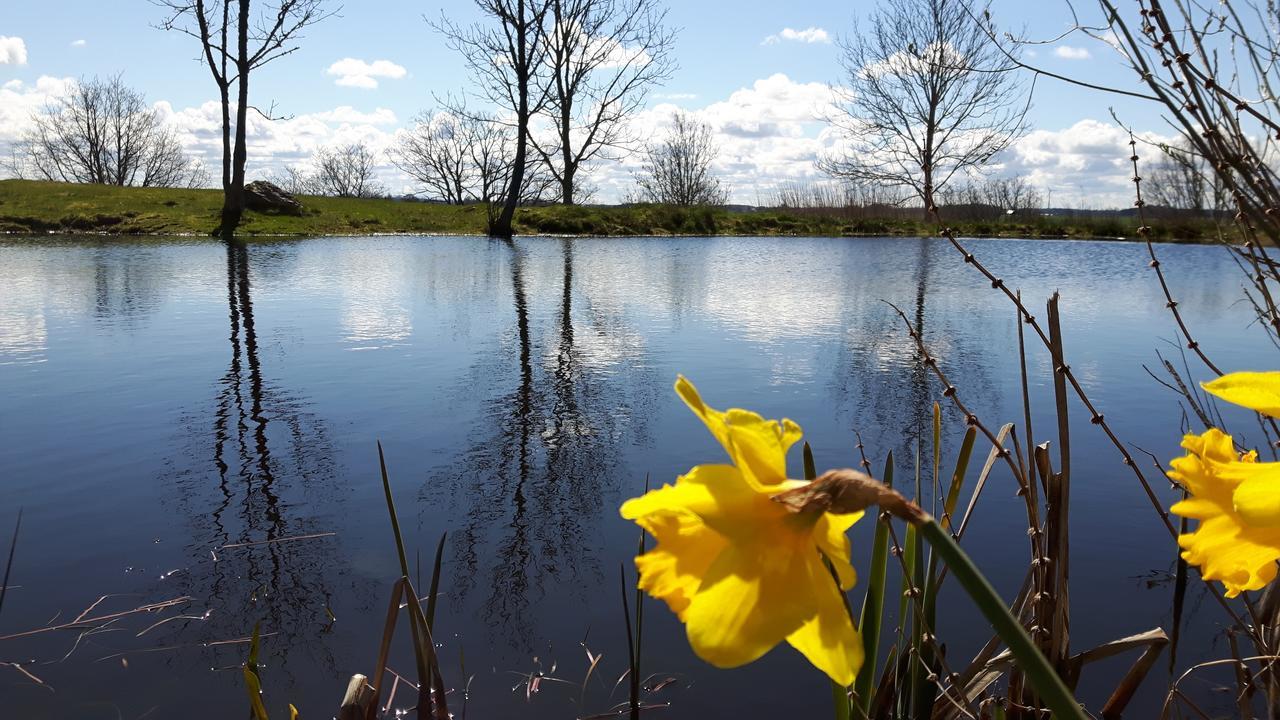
{"points": [[829, 639]]}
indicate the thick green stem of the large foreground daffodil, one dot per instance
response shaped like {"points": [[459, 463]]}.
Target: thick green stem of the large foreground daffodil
{"points": [[1034, 666]]}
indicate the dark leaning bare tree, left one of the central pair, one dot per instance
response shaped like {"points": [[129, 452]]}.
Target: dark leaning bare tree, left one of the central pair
{"points": [[508, 60]]}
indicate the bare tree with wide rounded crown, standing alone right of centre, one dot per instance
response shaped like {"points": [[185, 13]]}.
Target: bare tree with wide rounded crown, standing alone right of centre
{"points": [[926, 97]]}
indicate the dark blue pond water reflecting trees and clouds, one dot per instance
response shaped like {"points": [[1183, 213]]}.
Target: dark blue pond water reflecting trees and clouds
{"points": [[163, 399]]}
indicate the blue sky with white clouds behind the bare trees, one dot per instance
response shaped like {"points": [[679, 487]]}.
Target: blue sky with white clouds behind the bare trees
{"points": [[760, 74]]}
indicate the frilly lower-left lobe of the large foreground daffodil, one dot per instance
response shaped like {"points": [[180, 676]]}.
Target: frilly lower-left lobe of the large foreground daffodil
{"points": [[674, 571]]}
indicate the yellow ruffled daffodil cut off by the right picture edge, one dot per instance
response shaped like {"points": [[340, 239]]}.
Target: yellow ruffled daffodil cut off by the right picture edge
{"points": [[1236, 499]]}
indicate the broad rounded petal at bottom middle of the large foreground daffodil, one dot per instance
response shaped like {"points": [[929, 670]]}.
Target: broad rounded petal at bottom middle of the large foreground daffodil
{"points": [[752, 598]]}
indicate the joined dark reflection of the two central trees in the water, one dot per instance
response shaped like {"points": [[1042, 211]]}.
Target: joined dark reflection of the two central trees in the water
{"points": [[533, 486]]}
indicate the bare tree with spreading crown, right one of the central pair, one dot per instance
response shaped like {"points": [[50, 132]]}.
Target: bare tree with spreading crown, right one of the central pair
{"points": [[605, 56]]}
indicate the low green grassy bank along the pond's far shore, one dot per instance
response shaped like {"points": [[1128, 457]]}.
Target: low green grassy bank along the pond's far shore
{"points": [[30, 207]]}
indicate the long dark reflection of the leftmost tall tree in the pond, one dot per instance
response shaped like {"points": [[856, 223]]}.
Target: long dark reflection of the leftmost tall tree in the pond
{"points": [[285, 586]]}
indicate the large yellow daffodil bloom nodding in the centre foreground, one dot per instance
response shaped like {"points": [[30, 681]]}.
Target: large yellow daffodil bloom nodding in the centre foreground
{"points": [[740, 571]]}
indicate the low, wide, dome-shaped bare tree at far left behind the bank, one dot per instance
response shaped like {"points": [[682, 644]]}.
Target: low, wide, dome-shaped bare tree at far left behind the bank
{"points": [[104, 133]]}
